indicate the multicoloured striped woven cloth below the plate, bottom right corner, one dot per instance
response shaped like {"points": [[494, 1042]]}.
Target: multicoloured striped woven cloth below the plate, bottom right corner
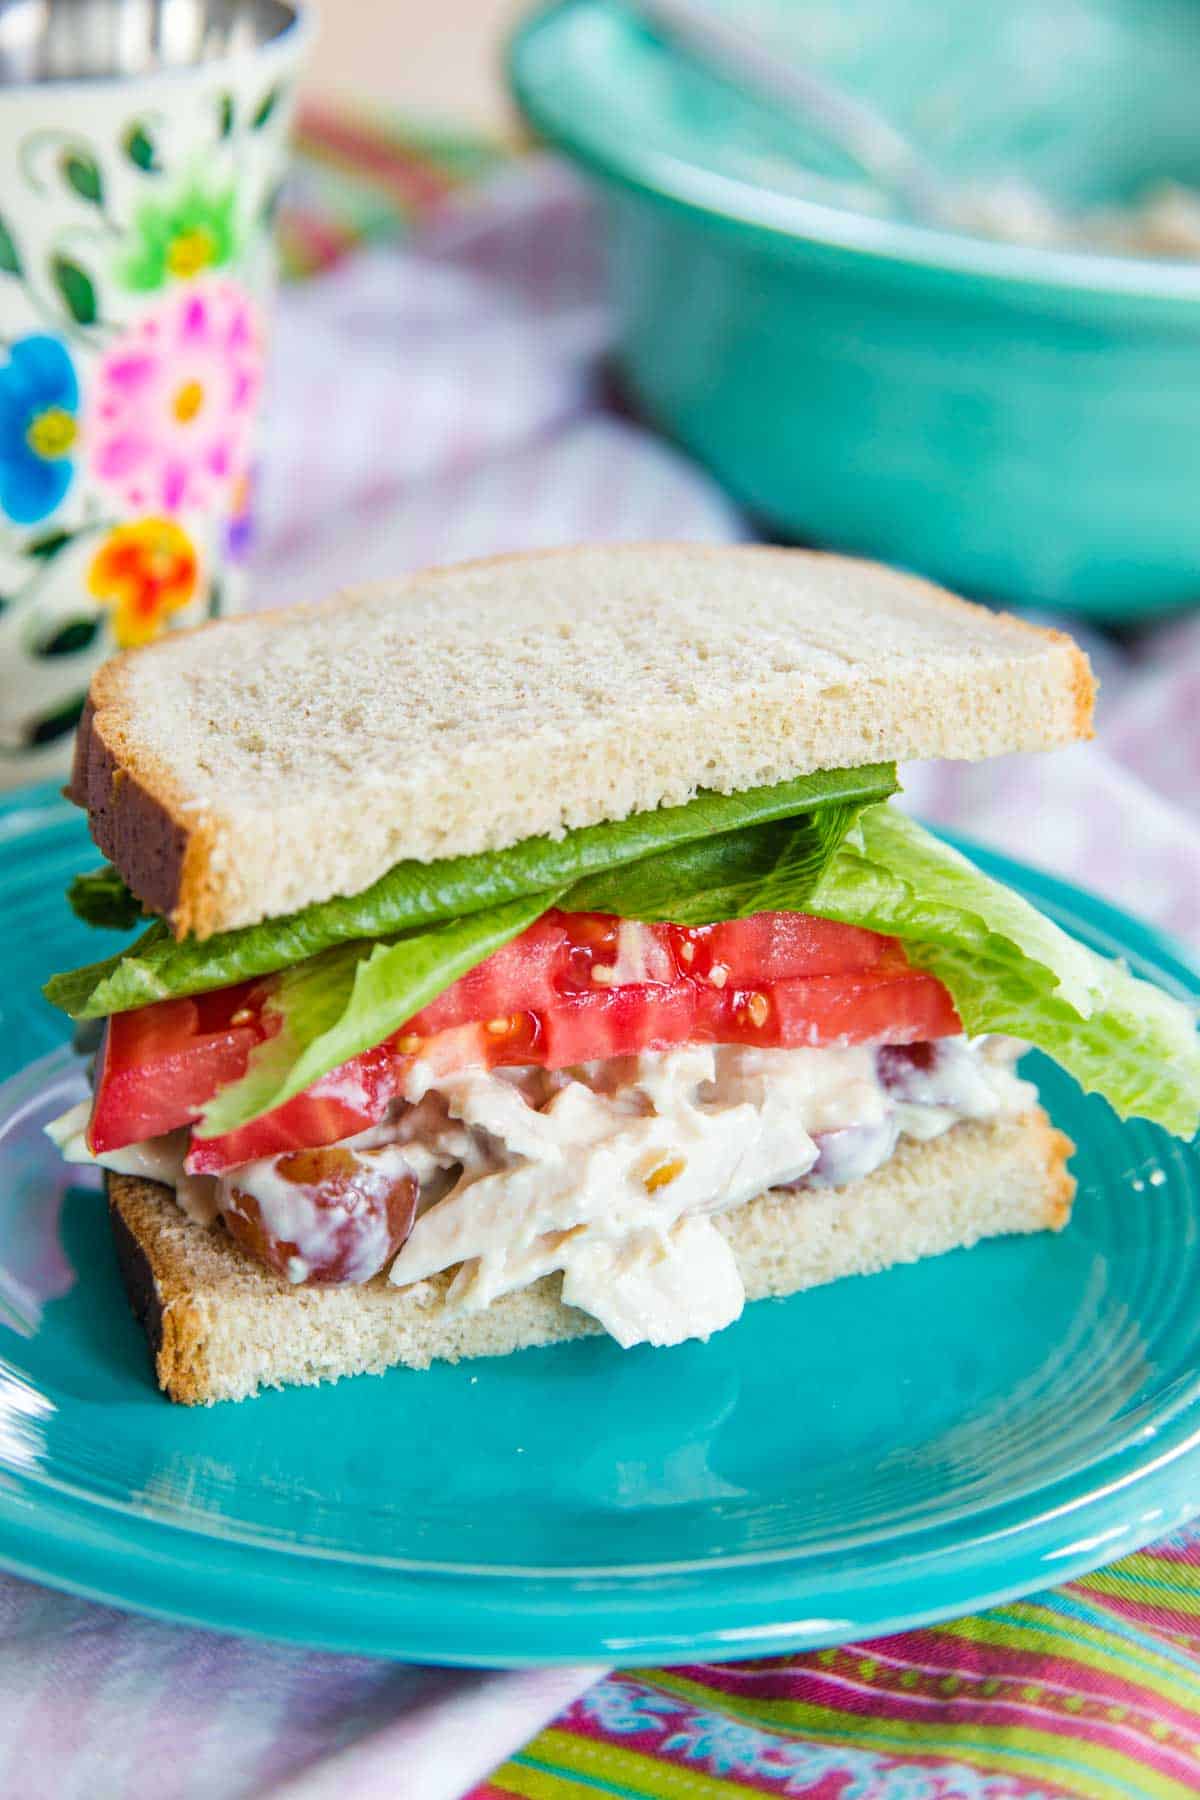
{"points": [[1091, 1691]]}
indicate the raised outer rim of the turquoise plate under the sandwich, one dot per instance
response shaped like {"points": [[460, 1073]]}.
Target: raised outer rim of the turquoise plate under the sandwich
{"points": [[314, 1594]]}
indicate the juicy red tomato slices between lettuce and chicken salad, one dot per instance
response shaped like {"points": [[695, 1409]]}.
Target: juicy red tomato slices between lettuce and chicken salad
{"points": [[573, 989]]}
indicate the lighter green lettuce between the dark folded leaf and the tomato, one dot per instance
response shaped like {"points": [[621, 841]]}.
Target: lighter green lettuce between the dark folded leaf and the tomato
{"points": [[1007, 966]]}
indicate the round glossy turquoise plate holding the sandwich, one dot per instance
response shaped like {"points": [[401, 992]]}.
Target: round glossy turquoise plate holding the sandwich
{"points": [[837, 1466]]}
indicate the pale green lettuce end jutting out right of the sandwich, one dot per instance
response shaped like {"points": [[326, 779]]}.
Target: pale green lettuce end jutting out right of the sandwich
{"points": [[1010, 969]]}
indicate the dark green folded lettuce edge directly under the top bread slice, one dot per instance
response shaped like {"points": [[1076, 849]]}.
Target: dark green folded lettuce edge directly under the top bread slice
{"points": [[415, 895]]}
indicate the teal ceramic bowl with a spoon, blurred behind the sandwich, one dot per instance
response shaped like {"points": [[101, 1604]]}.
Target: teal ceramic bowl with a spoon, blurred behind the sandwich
{"points": [[1017, 422]]}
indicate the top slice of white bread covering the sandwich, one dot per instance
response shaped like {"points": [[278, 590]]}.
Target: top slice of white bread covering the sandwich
{"points": [[255, 766]]}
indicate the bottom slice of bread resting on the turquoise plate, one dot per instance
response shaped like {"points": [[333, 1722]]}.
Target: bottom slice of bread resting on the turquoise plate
{"points": [[220, 1326]]}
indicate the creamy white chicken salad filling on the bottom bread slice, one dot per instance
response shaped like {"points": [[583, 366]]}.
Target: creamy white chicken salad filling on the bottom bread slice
{"points": [[611, 1173]]}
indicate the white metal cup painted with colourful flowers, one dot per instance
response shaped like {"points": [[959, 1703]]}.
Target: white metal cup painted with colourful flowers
{"points": [[143, 147]]}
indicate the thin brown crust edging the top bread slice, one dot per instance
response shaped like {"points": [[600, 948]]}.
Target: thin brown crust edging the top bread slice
{"points": [[168, 847]]}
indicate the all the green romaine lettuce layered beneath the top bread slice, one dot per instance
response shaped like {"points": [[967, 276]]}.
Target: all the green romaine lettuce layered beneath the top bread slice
{"points": [[354, 971]]}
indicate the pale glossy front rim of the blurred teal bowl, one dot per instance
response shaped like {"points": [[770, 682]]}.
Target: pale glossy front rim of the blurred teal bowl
{"points": [[839, 229]]}
